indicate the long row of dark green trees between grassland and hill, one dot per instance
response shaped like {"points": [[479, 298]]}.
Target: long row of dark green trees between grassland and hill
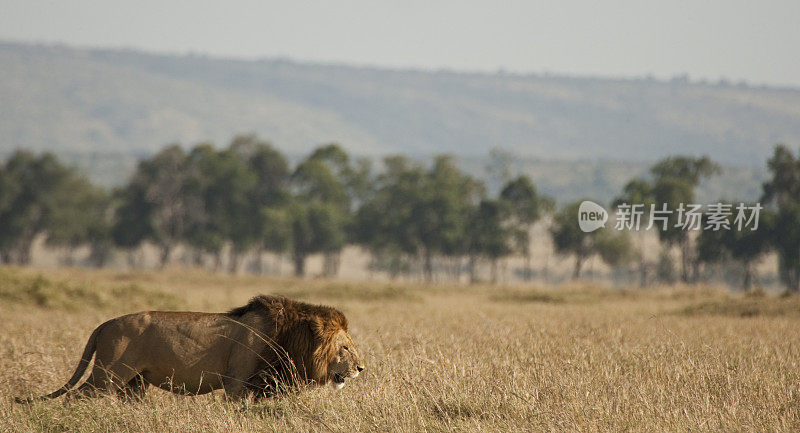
{"points": [[247, 199]]}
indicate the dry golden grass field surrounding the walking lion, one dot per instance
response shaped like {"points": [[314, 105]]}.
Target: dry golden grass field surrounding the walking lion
{"points": [[438, 358]]}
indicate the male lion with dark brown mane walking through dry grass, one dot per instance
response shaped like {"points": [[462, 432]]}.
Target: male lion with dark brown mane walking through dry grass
{"points": [[262, 348]]}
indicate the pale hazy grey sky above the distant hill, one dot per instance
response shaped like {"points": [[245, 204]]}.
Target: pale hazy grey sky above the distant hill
{"points": [[758, 41]]}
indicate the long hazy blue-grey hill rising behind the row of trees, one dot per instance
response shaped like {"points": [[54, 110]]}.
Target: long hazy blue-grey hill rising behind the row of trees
{"points": [[105, 108]]}
